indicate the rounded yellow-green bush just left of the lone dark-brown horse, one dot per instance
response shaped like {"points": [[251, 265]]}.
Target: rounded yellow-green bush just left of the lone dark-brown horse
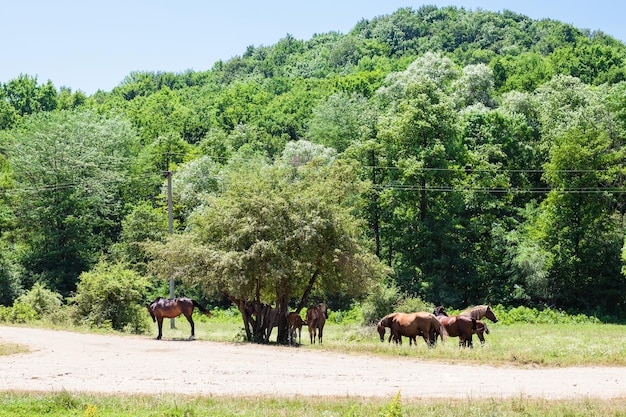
{"points": [[111, 295]]}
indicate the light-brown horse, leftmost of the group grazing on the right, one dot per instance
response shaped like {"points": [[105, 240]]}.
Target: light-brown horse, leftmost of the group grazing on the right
{"points": [[411, 325]]}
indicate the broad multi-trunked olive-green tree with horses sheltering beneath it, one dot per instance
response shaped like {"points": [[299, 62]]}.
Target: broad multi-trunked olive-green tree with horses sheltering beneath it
{"points": [[274, 234]]}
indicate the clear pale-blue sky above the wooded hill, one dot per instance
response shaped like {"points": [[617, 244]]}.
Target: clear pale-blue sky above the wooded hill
{"points": [[90, 45]]}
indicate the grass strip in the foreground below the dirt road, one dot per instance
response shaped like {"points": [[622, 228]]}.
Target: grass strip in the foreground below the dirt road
{"points": [[69, 404]]}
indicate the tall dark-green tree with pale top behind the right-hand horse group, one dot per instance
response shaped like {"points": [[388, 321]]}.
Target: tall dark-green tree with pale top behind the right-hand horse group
{"points": [[421, 140]]}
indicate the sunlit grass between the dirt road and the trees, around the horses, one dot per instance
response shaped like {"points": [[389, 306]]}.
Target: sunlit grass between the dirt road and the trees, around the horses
{"points": [[545, 345]]}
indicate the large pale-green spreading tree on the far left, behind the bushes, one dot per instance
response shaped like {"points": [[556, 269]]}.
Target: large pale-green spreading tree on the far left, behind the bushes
{"points": [[68, 168]]}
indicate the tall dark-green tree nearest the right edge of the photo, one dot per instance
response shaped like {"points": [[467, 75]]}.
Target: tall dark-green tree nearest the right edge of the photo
{"points": [[578, 228]]}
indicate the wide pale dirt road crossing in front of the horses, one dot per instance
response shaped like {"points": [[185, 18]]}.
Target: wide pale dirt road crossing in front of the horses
{"points": [[114, 364]]}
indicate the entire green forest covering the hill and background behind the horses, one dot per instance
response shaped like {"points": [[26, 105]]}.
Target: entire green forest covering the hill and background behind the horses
{"points": [[459, 157]]}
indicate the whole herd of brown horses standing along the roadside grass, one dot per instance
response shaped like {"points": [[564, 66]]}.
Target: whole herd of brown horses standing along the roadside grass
{"points": [[430, 326]]}
